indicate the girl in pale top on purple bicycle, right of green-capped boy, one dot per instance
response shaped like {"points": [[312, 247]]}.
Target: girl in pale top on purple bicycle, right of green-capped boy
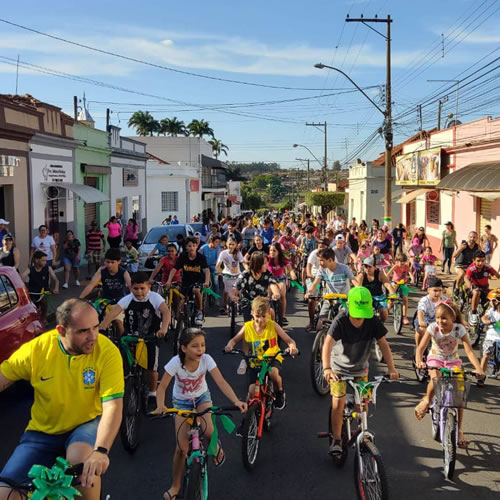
{"points": [[445, 334]]}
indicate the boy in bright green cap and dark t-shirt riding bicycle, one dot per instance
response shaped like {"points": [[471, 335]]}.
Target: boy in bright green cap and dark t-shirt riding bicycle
{"points": [[346, 352]]}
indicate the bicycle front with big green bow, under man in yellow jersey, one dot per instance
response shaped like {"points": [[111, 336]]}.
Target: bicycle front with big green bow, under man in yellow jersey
{"points": [[57, 482]]}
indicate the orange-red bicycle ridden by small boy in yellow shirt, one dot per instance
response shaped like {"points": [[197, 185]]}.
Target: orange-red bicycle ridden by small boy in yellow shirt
{"points": [[260, 407]]}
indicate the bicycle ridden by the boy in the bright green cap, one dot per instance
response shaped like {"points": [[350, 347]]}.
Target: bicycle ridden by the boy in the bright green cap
{"points": [[370, 476]]}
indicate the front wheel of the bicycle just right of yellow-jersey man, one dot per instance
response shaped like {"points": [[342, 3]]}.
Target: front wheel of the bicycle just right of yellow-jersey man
{"points": [[132, 403]]}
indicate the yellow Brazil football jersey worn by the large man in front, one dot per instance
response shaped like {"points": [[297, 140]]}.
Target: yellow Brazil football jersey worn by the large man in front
{"points": [[69, 390]]}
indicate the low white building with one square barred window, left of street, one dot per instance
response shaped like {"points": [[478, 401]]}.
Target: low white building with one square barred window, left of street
{"points": [[171, 189]]}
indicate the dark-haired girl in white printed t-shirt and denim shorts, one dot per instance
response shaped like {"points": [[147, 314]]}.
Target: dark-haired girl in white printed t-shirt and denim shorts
{"points": [[189, 369]]}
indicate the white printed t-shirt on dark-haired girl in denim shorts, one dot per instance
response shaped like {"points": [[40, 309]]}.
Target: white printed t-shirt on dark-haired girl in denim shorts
{"points": [[189, 385]]}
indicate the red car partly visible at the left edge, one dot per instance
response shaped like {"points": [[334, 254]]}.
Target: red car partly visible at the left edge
{"points": [[19, 317]]}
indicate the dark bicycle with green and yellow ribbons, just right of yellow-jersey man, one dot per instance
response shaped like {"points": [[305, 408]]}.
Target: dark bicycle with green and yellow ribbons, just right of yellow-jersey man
{"points": [[134, 354]]}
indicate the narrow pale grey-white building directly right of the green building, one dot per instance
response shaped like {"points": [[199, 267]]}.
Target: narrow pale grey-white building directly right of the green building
{"points": [[128, 178]]}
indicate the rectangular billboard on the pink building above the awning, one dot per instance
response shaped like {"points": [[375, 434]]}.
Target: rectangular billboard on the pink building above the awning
{"points": [[421, 168]]}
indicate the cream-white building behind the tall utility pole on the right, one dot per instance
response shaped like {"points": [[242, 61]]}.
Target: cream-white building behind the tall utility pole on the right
{"points": [[366, 190]]}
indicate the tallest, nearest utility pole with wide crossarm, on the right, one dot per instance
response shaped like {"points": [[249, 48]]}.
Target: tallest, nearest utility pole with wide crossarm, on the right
{"points": [[388, 112]]}
